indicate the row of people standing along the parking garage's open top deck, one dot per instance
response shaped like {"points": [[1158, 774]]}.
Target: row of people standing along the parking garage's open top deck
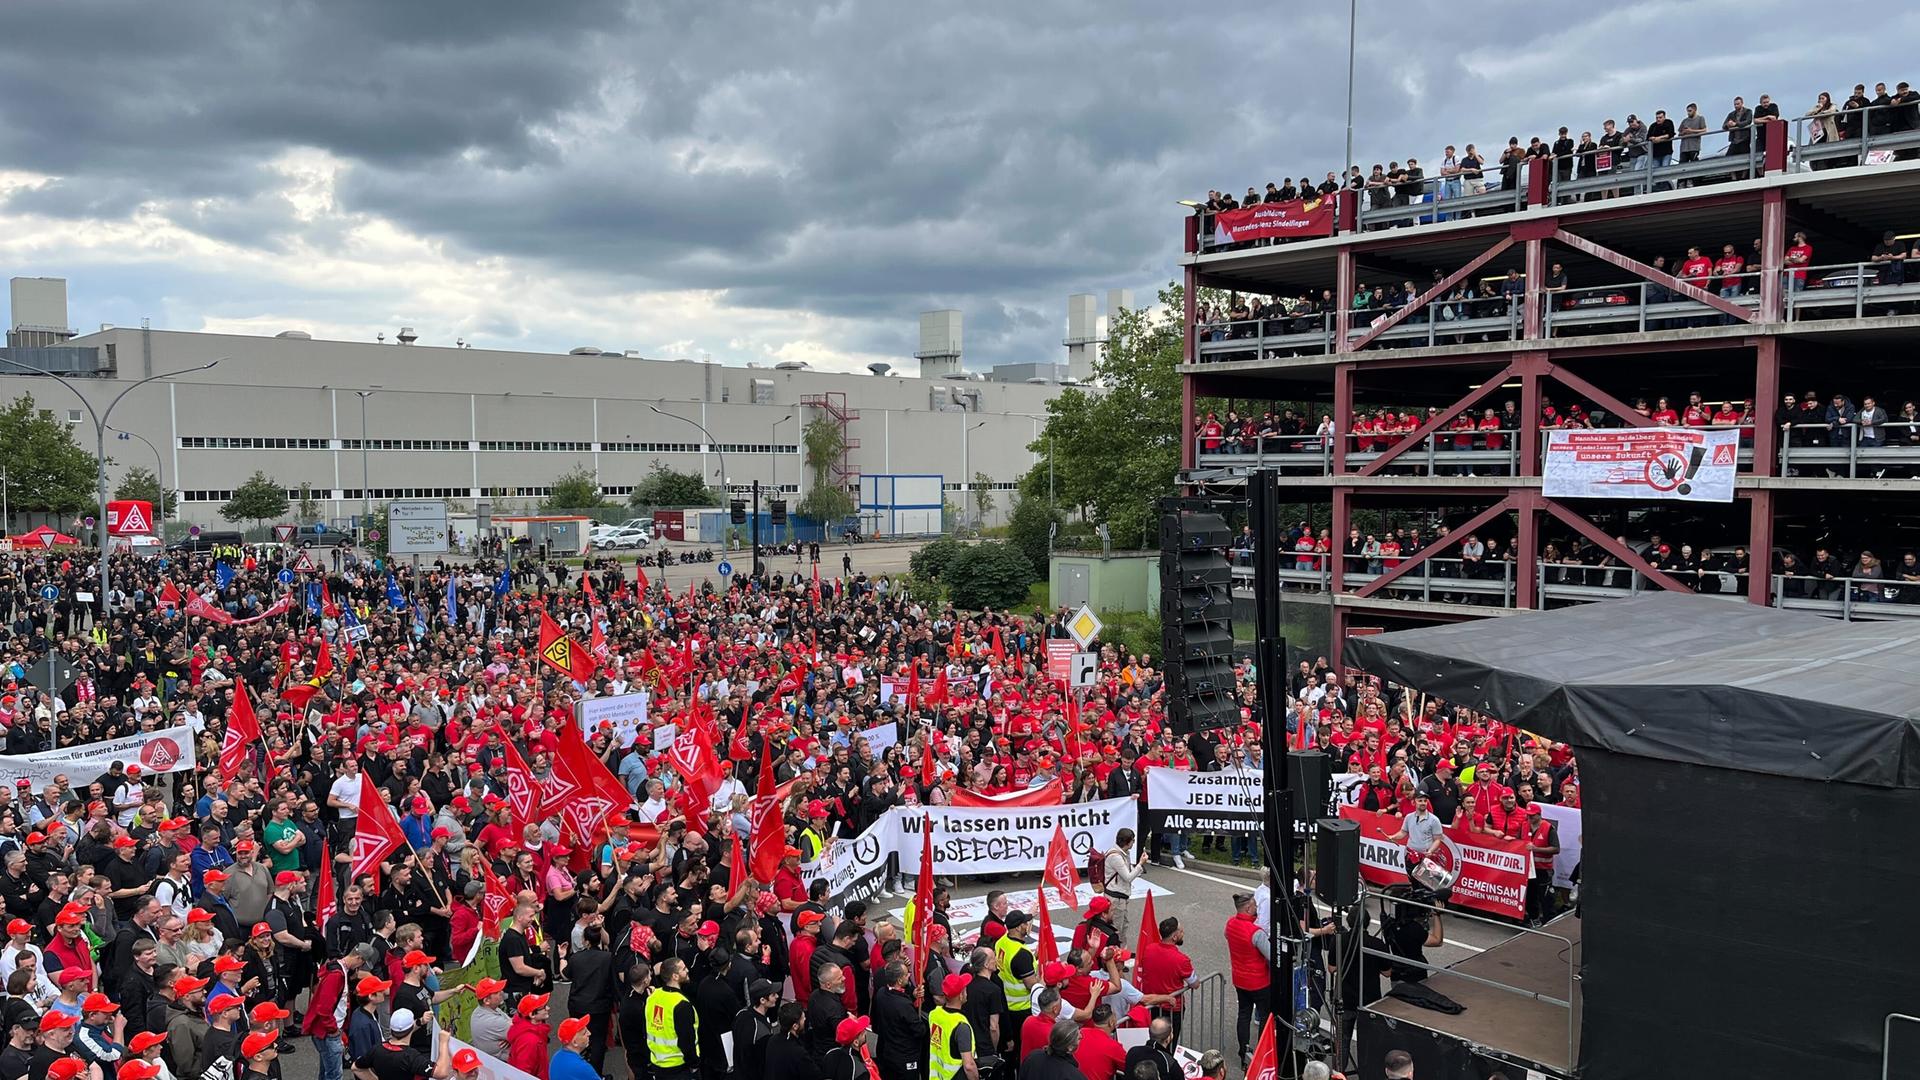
{"points": [[1637, 145]]}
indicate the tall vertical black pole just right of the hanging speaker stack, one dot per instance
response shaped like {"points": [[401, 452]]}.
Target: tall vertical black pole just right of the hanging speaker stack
{"points": [[1270, 660]]}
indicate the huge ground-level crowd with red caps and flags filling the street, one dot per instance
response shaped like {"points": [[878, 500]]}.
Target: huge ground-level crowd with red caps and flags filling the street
{"points": [[203, 921]]}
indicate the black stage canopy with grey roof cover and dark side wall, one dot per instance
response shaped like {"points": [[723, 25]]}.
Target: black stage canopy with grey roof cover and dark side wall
{"points": [[1752, 793]]}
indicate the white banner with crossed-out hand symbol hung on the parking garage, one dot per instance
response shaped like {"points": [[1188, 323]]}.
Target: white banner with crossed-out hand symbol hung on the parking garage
{"points": [[1643, 464]]}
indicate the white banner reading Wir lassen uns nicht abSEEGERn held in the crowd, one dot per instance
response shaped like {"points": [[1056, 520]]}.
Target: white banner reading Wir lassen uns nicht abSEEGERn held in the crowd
{"points": [[982, 841]]}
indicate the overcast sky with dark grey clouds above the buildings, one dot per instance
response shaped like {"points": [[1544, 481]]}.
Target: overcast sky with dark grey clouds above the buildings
{"points": [[767, 182]]}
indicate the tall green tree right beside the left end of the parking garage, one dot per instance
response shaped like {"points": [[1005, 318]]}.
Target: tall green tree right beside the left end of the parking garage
{"points": [[1118, 449]]}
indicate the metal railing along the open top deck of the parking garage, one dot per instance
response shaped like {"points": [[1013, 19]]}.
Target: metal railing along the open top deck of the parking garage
{"points": [[1623, 170]]}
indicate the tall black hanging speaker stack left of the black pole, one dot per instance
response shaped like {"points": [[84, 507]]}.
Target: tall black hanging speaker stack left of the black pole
{"points": [[1197, 618]]}
